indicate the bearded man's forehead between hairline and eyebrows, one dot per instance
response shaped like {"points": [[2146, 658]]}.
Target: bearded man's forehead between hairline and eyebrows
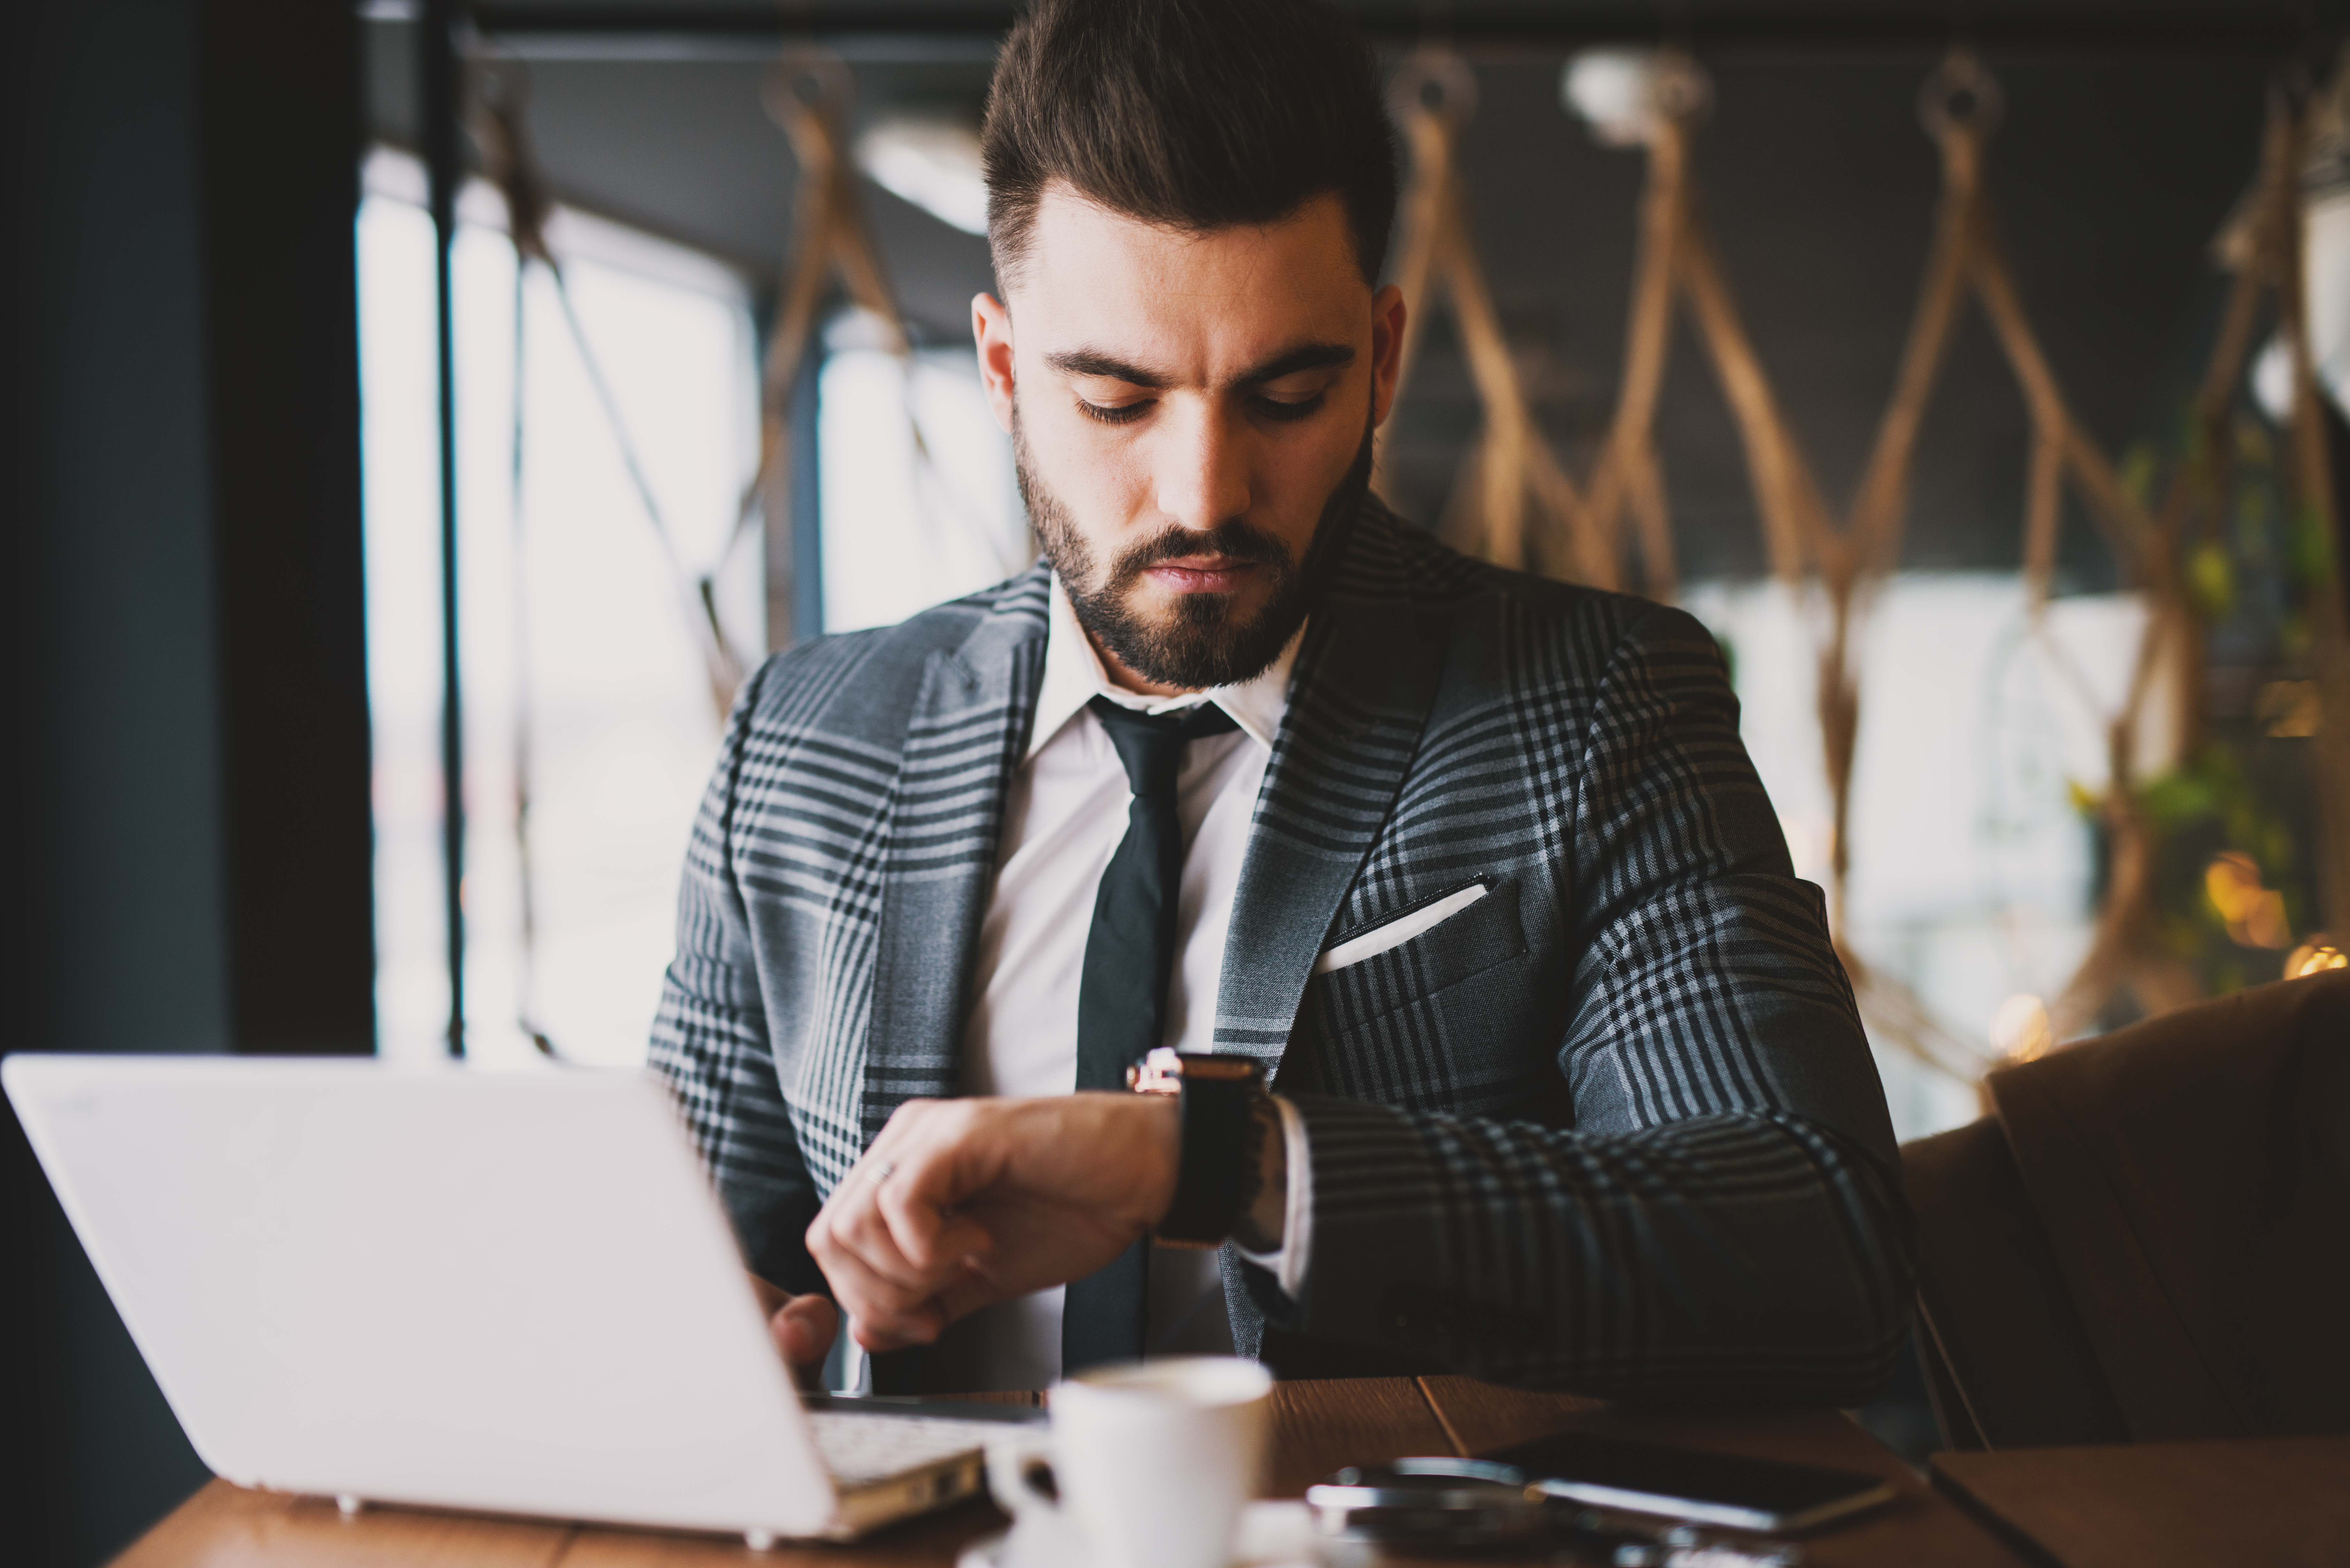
{"points": [[1181, 300]]}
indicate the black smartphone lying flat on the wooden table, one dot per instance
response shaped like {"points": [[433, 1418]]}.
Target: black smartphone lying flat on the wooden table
{"points": [[1698, 1487]]}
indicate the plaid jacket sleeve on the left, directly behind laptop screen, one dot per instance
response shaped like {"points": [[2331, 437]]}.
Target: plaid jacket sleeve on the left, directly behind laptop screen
{"points": [[711, 1040]]}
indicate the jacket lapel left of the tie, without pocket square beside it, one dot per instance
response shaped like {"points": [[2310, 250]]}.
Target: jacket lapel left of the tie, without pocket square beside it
{"points": [[965, 737]]}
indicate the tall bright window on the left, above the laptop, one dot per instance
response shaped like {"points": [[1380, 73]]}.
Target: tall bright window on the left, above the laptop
{"points": [[572, 617]]}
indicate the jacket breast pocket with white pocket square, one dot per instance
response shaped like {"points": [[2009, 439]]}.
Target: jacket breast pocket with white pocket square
{"points": [[1369, 974]]}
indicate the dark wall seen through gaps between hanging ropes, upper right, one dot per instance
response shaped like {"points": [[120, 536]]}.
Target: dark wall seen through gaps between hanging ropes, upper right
{"points": [[2111, 175]]}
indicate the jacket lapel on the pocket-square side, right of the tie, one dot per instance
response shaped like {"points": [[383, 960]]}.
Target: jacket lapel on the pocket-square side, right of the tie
{"points": [[1367, 683]]}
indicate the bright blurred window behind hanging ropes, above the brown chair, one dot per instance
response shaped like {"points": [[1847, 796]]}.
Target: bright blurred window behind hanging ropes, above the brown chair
{"points": [[1973, 873]]}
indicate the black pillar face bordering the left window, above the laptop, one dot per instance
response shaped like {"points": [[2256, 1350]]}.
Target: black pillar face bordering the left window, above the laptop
{"points": [[281, 138]]}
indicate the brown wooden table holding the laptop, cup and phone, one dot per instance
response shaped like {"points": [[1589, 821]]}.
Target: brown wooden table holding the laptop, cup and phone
{"points": [[1317, 1428]]}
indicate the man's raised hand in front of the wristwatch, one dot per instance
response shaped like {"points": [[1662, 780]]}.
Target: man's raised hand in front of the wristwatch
{"points": [[969, 1202]]}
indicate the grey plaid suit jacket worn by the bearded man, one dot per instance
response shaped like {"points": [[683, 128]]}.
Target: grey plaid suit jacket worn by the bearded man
{"points": [[1613, 1127]]}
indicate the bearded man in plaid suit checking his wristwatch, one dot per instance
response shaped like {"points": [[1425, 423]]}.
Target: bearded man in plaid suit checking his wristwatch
{"points": [[1569, 1085]]}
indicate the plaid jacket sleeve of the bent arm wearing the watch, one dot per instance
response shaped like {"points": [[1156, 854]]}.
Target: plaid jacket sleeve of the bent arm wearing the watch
{"points": [[1724, 1221]]}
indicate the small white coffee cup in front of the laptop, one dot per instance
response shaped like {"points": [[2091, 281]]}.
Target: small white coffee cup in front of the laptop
{"points": [[1148, 1463]]}
